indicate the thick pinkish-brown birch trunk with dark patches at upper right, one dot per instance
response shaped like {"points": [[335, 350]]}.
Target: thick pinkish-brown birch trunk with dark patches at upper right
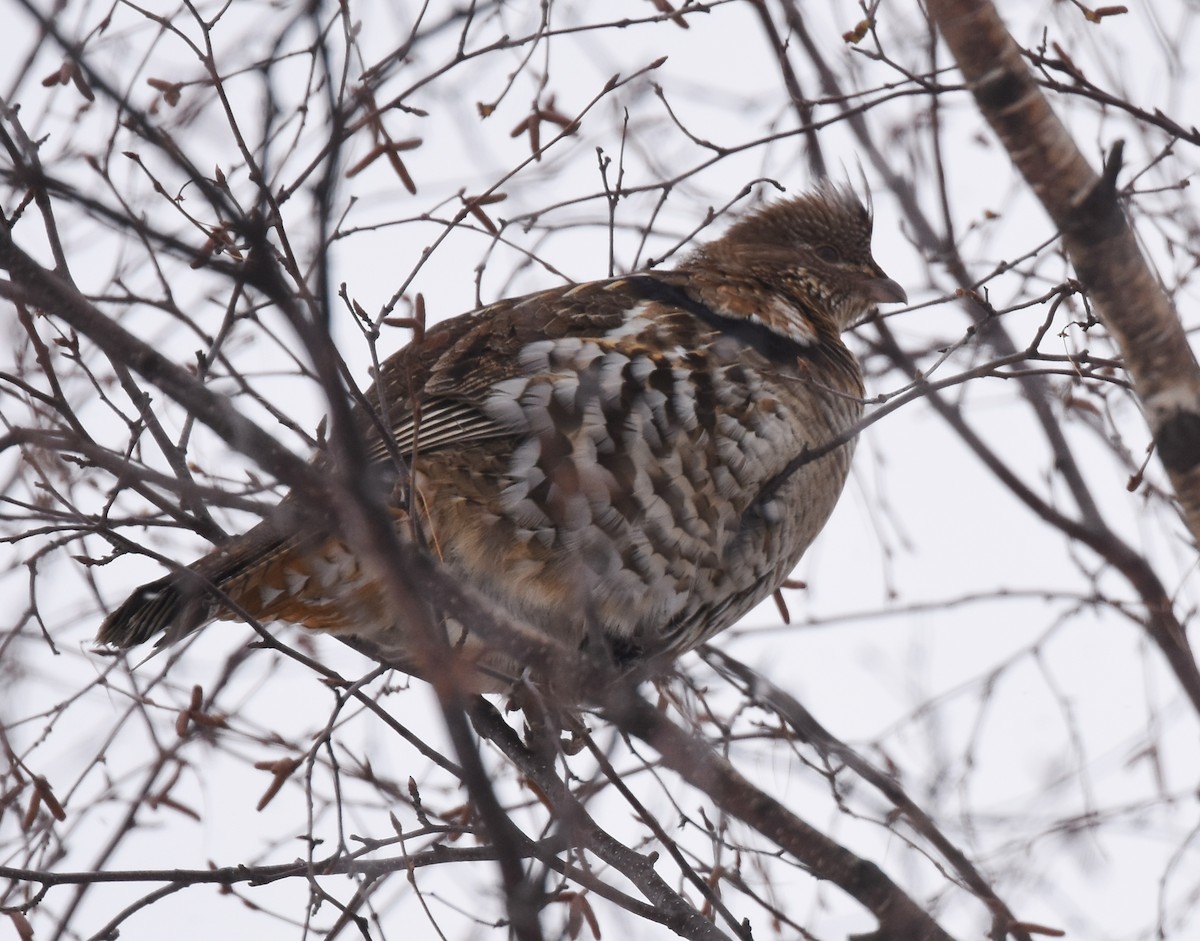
{"points": [[1097, 236]]}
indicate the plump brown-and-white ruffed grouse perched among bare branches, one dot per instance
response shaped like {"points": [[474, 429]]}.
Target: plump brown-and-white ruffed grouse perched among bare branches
{"points": [[623, 454]]}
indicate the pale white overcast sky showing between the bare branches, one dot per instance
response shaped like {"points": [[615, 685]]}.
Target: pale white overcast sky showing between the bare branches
{"points": [[886, 662]]}
